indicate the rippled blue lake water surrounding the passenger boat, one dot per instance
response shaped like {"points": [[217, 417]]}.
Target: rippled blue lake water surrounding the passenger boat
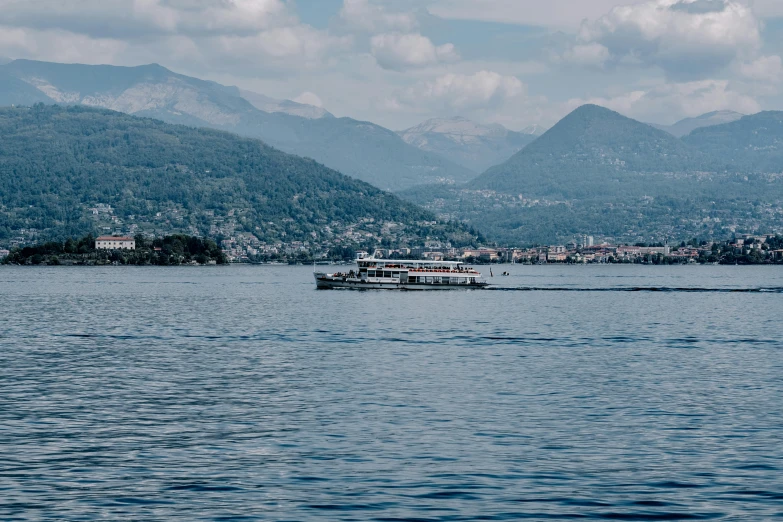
{"points": [[242, 393]]}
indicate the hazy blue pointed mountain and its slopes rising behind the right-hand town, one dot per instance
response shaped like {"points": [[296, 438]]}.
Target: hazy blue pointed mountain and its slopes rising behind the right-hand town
{"points": [[599, 173]]}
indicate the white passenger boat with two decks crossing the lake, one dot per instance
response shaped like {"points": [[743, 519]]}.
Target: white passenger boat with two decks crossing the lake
{"points": [[403, 275]]}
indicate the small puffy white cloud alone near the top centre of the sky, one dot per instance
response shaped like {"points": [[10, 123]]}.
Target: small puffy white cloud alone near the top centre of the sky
{"points": [[397, 51]]}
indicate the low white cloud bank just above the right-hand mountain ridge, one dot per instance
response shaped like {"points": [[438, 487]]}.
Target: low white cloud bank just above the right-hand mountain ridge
{"points": [[674, 101]]}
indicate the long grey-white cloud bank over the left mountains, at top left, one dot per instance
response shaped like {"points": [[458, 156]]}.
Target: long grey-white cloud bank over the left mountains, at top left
{"points": [[219, 35]]}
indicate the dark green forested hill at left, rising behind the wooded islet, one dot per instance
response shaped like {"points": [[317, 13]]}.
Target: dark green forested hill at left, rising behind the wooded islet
{"points": [[62, 167]]}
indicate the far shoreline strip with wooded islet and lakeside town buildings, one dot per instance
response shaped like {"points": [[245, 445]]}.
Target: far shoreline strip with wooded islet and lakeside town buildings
{"points": [[183, 249]]}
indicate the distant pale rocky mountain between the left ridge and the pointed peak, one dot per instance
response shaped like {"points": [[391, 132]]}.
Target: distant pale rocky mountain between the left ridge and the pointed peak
{"points": [[469, 143]]}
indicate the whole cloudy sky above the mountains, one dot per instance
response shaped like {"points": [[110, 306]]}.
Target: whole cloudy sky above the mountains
{"points": [[399, 62]]}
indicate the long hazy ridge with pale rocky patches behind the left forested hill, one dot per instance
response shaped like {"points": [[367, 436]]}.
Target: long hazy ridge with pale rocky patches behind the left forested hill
{"points": [[372, 153]]}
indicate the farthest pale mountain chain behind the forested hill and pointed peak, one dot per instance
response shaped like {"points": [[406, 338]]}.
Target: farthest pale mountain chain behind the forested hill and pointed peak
{"points": [[442, 150]]}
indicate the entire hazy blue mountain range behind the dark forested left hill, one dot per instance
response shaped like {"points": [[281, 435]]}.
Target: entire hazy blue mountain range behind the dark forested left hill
{"points": [[595, 172]]}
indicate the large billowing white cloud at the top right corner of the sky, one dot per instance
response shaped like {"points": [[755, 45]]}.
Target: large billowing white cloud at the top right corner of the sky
{"points": [[688, 39]]}
